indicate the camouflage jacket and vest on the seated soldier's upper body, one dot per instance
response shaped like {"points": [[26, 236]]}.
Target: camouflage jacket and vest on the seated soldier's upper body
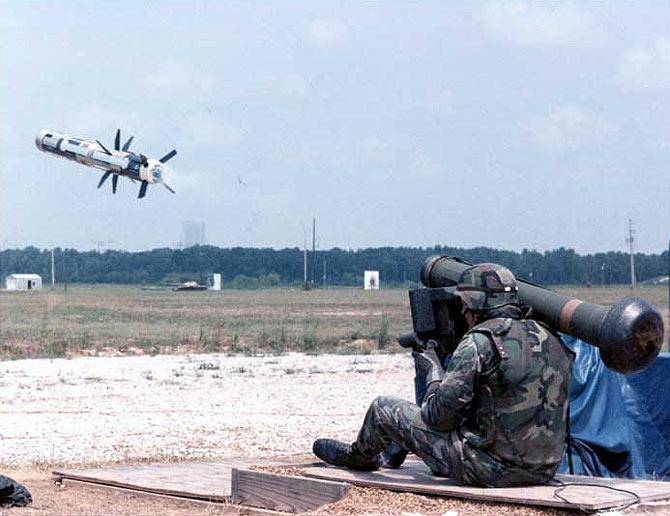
{"points": [[505, 393]]}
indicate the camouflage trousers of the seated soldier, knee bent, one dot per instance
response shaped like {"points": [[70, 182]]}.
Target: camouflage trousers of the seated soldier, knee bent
{"points": [[394, 420]]}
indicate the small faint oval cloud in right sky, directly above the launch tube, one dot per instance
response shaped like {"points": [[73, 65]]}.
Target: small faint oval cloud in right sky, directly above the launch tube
{"points": [[567, 127]]}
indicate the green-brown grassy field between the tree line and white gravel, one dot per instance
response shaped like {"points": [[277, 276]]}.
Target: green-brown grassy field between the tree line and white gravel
{"points": [[129, 320]]}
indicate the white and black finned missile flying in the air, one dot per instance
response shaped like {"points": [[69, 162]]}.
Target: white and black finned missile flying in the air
{"points": [[120, 162]]}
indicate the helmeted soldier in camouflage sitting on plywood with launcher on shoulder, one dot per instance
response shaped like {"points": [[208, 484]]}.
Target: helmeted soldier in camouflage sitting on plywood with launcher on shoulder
{"points": [[496, 417]]}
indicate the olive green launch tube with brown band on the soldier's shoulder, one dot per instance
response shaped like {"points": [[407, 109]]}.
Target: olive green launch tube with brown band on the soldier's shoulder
{"points": [[629, 333]]}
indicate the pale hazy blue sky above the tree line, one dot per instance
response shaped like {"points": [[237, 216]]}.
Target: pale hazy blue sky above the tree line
{"points": [[506, 124]]}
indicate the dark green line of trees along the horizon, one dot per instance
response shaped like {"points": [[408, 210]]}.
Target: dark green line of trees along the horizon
{"points": [[242, 267]]}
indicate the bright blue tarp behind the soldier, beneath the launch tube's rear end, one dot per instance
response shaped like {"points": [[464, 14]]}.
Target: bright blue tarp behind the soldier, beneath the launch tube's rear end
{"points": [[620, 424]]}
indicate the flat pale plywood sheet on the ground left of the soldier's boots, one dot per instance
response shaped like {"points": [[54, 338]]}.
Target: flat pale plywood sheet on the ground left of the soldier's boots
{"points": [[199, 480]]}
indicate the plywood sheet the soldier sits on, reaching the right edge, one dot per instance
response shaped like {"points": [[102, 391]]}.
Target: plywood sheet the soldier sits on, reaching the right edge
{"points": [[415, 477]]}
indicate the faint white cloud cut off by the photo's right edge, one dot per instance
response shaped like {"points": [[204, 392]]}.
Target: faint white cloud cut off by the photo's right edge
{"points": [[646, 67]]}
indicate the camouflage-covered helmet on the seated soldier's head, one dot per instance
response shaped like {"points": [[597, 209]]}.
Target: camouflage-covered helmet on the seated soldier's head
{"points": [[486, 286]]}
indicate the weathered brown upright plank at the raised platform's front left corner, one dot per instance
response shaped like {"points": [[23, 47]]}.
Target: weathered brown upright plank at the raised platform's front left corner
{"points": [[283, 493]]}
